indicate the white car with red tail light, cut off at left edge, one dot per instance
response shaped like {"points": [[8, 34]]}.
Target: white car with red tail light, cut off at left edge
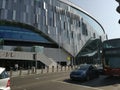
{"points": [[4, 79]]}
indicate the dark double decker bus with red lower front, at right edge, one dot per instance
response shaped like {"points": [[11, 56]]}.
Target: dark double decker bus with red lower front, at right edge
{"points": [[111, 57]]}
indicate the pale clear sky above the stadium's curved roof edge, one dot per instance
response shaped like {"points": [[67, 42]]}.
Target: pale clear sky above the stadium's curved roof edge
{"points": [[104, 11]]}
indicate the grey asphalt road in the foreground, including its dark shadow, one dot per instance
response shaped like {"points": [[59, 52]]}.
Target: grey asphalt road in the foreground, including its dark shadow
{"points": [[61, 81]]}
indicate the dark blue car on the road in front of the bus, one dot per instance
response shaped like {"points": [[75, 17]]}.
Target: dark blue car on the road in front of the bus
{"points": [[84, 72]]}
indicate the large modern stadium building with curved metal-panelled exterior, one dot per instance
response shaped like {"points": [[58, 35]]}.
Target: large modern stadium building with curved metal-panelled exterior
{"points": [[46, 32]]}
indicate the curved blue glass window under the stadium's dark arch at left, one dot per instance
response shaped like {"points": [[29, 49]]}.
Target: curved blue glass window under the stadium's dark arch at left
{"points": [[14, 33]]}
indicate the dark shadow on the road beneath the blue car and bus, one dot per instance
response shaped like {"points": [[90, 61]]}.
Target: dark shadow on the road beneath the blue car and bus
{"points": [[98, 82]]}
